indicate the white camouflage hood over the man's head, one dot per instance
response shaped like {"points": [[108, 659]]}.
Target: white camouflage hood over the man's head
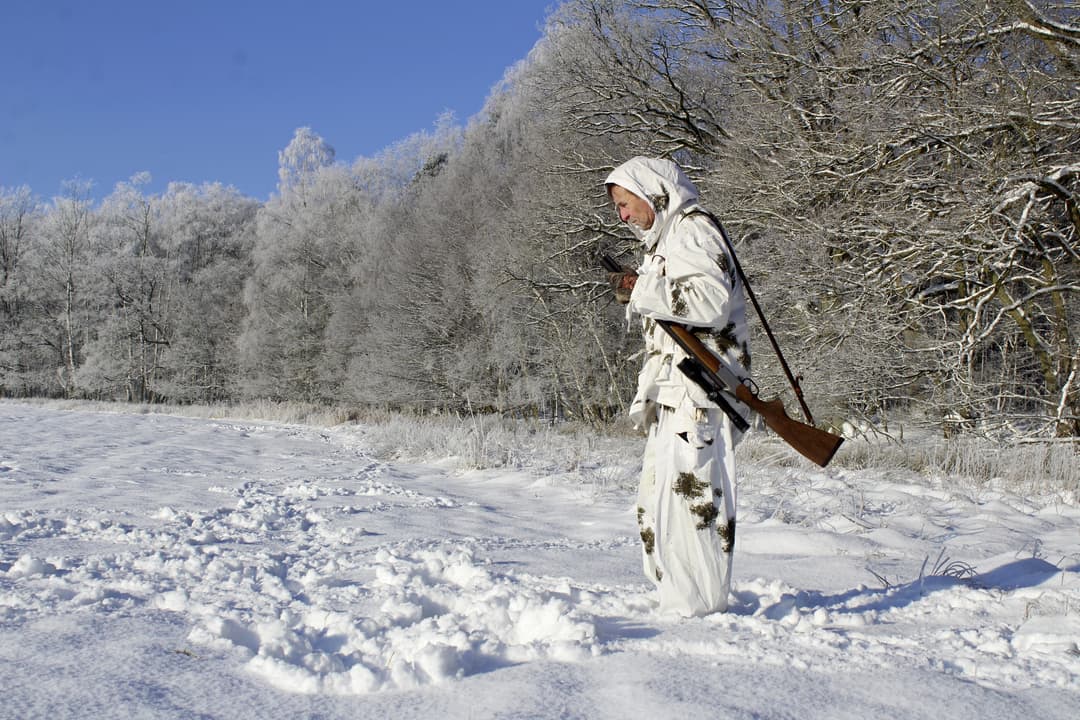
{"points": [[663, 184]]}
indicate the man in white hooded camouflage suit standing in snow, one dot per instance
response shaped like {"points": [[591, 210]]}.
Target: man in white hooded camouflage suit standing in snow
{"points": [[686, 506]]}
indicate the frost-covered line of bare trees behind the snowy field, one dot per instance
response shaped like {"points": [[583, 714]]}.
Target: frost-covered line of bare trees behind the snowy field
{"points": [[902, 180]]}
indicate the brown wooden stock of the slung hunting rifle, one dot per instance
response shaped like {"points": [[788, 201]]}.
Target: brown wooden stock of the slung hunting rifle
{"points": [[814, 444]]}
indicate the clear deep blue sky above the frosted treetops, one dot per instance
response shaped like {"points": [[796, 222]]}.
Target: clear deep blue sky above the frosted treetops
{"points": [[210, 91]]}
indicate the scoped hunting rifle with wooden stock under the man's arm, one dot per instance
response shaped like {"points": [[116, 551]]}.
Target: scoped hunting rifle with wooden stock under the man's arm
{"points": [[720, 384]]}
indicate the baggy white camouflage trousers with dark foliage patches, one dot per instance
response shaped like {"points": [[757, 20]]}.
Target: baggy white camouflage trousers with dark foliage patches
{"points": [[686, 510]]}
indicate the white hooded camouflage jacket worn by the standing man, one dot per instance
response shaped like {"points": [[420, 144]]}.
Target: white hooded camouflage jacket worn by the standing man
{"points": [[686, 277]]}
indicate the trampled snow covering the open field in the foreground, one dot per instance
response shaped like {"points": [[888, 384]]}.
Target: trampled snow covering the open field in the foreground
{"points": [[166, 567]]}
